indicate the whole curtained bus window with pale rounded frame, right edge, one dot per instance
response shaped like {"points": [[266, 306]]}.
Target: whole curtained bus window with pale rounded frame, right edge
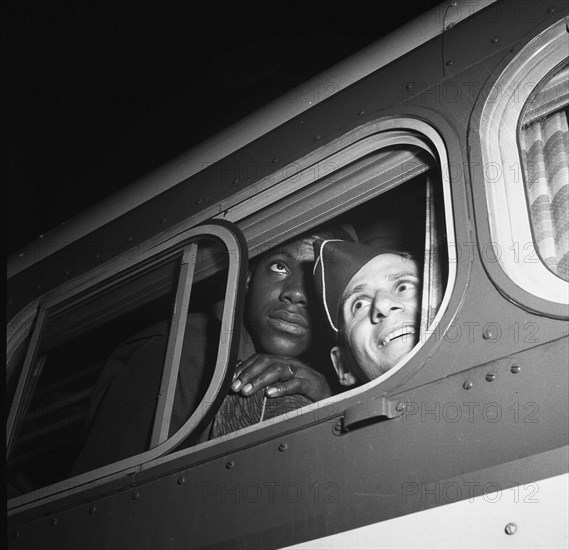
{"points": [[520, 129]]}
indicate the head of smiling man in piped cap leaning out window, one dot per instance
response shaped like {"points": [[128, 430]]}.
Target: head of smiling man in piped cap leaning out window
{"points": [[371, 298]]}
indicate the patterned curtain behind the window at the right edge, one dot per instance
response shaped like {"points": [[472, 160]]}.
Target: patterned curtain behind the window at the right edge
{"points": [[544, 148]]}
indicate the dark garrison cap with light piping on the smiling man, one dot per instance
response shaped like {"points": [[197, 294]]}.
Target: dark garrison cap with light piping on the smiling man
{"points": [[336, 262]]}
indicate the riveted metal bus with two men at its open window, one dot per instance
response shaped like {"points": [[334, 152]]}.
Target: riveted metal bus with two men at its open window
{"points": [[451, 133]]}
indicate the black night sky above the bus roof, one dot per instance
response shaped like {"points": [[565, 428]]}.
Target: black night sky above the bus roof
{"points": [[98, 94]]}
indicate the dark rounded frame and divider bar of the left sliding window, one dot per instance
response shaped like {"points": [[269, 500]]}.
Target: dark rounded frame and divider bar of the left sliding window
{"points": [[31, 321]]}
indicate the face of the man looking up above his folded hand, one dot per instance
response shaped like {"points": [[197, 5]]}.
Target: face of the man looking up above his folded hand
{"points": [[280, 299]]}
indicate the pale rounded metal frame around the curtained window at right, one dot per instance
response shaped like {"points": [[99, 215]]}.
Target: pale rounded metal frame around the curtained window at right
{"points": [[494, 139]]}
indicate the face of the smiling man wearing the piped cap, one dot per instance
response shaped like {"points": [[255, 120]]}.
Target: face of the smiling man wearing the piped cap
{"points": [[380, 312]]}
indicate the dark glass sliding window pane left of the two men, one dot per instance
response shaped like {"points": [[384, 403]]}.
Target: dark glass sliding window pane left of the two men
{"points": [[123, 336]]}
